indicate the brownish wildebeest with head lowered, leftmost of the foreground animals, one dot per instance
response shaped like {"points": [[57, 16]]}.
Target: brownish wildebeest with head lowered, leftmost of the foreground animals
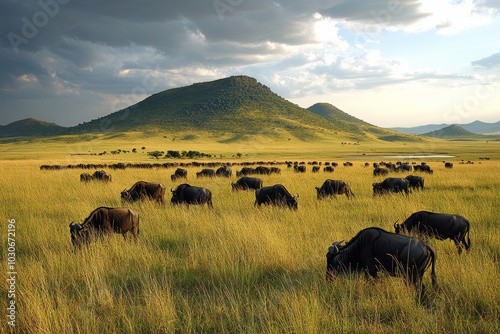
{"points": [[104, 220]]}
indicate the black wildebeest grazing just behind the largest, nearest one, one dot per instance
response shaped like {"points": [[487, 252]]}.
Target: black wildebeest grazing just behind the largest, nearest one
{"points": [[439, 225]]}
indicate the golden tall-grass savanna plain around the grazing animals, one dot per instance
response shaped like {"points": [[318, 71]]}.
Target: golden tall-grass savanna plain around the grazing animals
{"points": [[238, 268]]}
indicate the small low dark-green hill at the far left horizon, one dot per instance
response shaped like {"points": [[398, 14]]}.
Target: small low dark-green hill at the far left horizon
{"points": [[30, 127]]}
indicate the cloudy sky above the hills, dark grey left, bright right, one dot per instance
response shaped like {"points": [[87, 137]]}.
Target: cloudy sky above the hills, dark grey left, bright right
{"points": [[388, 62]]}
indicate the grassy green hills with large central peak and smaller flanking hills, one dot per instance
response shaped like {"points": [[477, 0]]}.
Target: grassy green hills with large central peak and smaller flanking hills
{"points": [[236, 108]]}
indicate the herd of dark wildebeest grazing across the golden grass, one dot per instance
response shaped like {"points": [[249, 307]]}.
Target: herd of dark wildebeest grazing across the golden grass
{"points": [[370, 251]]}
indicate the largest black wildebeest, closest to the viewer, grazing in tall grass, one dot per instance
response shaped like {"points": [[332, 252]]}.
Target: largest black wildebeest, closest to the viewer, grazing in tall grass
{"points": [[374, 249]]}
